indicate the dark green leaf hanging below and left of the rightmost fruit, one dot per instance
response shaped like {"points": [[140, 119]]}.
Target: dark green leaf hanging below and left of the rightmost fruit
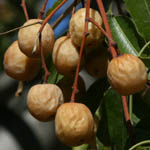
{"points": [[112, 128]]}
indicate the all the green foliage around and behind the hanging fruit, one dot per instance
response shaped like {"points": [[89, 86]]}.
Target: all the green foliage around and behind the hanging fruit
{"points": [[131, 32]]}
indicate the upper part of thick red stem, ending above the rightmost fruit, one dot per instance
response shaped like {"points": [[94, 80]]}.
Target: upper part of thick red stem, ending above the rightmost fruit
{"points": [[105, 20]]}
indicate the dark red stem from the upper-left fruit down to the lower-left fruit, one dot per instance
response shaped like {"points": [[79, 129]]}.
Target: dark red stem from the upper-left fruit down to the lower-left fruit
{"points": [[47, 73]]}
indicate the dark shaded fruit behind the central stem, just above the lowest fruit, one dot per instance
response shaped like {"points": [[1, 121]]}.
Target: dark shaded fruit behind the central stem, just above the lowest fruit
{"points": [[66, 86]]}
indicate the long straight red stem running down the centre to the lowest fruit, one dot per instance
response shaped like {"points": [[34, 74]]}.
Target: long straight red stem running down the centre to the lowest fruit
{"points": [[75, 85]]}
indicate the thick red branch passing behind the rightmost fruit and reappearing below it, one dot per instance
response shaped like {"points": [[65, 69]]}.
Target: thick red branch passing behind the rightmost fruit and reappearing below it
{"points": [[114, 54]]}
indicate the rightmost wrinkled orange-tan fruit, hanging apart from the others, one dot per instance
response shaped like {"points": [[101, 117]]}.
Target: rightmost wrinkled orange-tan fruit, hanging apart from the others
{"points": [[127, 74]]}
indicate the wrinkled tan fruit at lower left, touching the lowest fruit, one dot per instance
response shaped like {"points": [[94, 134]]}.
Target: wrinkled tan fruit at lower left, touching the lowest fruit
{"points": [[43, 101]]}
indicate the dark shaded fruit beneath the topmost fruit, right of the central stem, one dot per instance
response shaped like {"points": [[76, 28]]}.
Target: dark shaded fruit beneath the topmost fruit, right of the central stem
{"points": [[96, 62]]}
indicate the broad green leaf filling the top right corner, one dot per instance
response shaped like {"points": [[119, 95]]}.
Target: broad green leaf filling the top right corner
{"points": [[140, 13]]}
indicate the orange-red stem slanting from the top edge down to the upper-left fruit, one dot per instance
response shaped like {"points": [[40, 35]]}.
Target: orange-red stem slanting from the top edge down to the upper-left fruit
{"points": [[50, 15]]}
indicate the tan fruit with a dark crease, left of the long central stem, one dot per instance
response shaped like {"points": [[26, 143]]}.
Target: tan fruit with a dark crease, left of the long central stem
{"points": [[65, 56]]}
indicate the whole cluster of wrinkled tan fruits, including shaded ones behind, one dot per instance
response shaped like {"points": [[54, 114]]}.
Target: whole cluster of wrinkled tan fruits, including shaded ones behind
{"points": [[74, 122]]}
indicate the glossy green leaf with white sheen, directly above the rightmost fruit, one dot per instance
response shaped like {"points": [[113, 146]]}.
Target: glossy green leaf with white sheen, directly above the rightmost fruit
{"points": [[124, 34]]}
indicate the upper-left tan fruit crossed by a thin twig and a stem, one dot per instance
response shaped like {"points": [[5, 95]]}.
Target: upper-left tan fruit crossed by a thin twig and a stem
{"points": [[28, 35]]}
